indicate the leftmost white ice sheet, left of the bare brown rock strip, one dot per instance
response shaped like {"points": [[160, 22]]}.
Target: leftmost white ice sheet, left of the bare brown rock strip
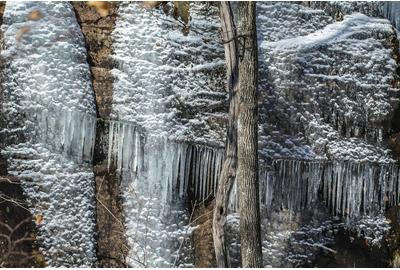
{"points": [[48, 96]]}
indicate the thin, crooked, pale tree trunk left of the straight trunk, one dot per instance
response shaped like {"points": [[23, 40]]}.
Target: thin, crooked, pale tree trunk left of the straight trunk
{"points": [[228, 172]]}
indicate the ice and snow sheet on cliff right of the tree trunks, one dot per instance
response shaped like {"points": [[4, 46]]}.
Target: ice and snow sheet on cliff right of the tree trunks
{"points": [[327, 99]]}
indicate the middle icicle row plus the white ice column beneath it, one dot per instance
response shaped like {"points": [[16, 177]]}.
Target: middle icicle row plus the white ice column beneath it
{"points": [[157, 176]]}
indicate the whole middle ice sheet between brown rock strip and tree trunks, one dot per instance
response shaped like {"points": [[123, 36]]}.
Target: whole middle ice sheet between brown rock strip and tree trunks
{"points": [[159, 130]]}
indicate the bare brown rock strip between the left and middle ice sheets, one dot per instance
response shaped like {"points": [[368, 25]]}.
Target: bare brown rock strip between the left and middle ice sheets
{"points": [[111, 243]]}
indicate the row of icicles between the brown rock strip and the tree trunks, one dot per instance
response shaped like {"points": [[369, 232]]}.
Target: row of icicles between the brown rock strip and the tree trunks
{"points": [[178, 169]]}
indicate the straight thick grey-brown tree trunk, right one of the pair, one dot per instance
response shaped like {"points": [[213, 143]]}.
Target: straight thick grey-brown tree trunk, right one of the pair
{"points": [[247, 171]]}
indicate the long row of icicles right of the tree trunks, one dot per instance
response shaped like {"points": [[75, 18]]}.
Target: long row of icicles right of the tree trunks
{"points": [[349, 189]]}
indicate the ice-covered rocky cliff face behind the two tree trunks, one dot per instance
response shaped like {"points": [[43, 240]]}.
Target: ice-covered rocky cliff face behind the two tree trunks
{"points": [[131, 138]]}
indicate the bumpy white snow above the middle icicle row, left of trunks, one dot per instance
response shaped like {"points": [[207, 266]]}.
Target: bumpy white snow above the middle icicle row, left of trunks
{"points": [[178, 80]]}
